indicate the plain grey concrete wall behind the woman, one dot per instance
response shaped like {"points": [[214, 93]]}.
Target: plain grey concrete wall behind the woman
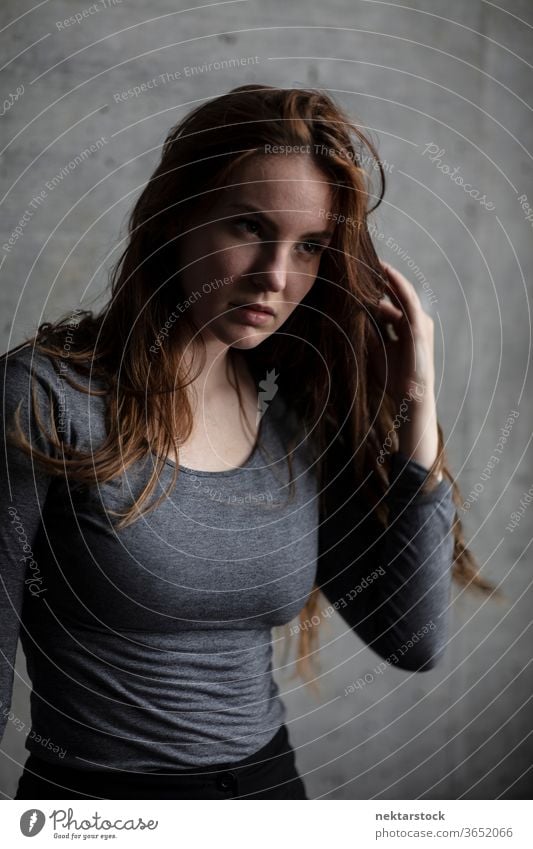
{"points": [[451, 74]]}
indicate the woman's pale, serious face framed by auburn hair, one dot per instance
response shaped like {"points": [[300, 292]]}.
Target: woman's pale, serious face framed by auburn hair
{"points": [[260, 243]]}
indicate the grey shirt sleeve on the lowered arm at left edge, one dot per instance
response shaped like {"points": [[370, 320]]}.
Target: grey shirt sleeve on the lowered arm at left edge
{"points": [[23, 491]]}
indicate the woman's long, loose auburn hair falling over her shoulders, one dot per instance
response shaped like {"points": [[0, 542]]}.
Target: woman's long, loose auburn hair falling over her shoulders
{"points": [[326, 335]]}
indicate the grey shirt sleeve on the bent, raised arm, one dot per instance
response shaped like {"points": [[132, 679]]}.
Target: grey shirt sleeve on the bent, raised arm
{"points": [[392, 585]]}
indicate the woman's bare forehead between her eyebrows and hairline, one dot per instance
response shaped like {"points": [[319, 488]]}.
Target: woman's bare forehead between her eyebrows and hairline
{"points": [[284, 182]]}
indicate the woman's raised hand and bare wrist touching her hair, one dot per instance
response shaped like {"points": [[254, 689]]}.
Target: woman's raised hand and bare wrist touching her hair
{"points": [[404, 367]]}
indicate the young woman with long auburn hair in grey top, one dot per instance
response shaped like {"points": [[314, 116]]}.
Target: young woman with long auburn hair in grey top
{"points": [[235, 440]]}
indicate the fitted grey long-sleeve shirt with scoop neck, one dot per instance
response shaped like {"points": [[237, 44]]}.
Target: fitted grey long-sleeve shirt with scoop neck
{"points": [[150, 648]]}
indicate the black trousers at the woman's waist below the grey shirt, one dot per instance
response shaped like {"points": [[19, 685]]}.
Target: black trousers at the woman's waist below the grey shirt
{"points": [[269, 773]]}
